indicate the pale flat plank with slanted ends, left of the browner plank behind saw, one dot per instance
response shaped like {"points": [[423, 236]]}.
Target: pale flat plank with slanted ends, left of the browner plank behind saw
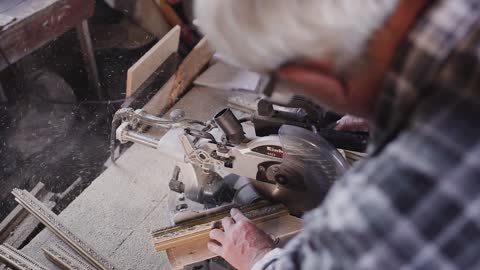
{"points": [[152, 60]]}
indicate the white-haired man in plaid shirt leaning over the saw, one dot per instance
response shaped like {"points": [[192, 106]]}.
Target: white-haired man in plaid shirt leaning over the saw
{"points": [[412, 68]]}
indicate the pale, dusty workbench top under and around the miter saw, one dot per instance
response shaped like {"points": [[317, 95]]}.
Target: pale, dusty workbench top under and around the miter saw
{"points": [[118, 211]]}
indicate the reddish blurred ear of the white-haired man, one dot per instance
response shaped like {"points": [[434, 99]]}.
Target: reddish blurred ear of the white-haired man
{"points": [[316, 80]]}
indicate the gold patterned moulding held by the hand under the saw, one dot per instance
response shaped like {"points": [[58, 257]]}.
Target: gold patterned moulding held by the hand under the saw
{"points": [[187, 233]]}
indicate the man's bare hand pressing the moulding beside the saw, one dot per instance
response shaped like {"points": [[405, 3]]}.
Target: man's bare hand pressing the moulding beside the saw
{"points": [[241, 243]]}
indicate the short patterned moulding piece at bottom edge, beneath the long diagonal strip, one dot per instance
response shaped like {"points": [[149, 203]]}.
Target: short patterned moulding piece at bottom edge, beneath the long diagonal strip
{"points": [[65, 259]]}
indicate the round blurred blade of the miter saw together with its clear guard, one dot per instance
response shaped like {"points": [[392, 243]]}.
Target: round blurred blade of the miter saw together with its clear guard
{"points": [[309, 168]]}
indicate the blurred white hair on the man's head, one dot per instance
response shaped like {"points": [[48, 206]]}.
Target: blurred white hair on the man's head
{"points": [[262, 35]]}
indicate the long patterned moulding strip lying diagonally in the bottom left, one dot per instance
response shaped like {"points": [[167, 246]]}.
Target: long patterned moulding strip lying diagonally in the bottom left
{"points": [[51, 221]]}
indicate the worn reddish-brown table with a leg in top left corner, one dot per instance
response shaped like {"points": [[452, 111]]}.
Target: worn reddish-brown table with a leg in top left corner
{"points": [[27, 25]]}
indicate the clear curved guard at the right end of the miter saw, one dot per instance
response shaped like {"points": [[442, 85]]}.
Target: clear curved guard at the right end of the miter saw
{"points": [[314, 158]]}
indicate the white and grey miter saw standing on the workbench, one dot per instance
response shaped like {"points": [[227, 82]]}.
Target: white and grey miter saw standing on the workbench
{"points": [[222, 162]]}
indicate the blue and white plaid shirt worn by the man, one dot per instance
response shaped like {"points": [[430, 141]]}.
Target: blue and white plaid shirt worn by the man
{"points": [[415, 202]]}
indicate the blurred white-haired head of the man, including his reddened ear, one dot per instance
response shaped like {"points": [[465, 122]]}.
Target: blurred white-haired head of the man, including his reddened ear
{"points": [[308, 43]]}
